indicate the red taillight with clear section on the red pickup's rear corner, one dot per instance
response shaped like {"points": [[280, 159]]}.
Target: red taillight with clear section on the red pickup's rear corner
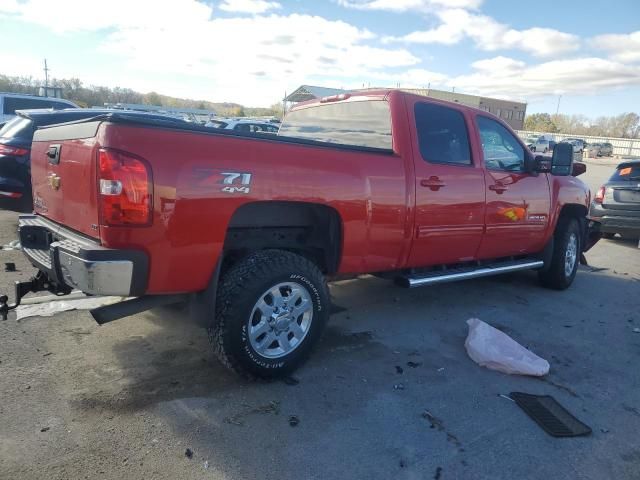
{"points": [[125, 189]]}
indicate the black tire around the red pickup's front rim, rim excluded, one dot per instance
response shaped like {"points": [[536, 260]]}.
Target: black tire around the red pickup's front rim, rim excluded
{"points": [[555, 276]]}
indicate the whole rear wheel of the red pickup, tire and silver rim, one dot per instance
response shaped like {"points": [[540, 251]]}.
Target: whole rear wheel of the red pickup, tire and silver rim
{"points": [[271, 310]]}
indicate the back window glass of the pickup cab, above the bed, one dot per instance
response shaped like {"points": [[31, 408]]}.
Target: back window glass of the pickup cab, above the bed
{"points": [[361, 123]]}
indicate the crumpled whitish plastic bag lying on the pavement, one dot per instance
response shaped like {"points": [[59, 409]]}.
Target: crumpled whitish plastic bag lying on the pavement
{"points": [[491, 348]]}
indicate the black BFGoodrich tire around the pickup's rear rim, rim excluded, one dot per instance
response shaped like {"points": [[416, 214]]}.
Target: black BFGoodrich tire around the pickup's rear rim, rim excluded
{"points": [[240, 287]]}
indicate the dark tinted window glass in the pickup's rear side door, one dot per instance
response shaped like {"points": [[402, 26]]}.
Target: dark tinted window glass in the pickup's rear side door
{"points": [[442, 134]]}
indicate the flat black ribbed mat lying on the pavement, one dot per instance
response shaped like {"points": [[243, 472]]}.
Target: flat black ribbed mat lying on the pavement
{"points": [[552, 417]]}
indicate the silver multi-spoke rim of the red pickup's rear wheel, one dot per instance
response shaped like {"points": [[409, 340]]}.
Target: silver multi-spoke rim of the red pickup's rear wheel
{"points": [[280, 320]]}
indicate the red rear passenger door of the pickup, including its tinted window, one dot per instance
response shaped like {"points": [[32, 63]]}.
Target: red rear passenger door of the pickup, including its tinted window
{"points": [[450, 188]]}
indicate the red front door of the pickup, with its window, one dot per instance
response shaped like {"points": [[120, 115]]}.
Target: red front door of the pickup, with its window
{"points": [[518, 202]]}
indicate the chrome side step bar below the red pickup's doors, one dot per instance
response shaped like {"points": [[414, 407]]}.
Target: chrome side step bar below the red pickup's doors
{"points": [[466, 273]]}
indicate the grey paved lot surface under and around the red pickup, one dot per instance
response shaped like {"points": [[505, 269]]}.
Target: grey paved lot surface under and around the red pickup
{"points": [[128, 399]]}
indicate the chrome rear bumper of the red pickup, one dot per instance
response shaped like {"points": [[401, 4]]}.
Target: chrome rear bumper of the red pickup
{"points": [[77, 262]]}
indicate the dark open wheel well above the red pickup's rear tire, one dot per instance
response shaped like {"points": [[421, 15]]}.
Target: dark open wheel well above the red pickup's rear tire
{"points": [[308, 229]]}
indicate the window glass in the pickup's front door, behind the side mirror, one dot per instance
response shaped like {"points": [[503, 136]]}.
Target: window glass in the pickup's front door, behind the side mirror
{"points": [[501, 149]]}
